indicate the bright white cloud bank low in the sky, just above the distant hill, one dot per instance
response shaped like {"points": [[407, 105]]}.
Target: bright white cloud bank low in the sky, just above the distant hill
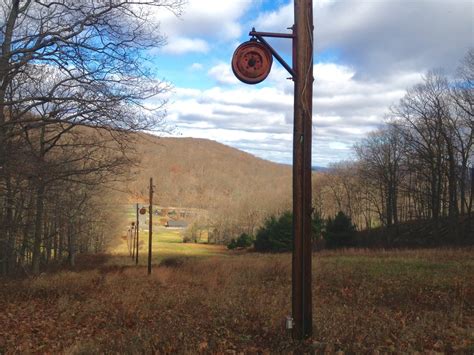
{"points": [[259, 119]]}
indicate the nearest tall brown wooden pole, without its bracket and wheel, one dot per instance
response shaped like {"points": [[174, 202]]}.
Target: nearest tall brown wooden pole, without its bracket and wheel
{"points": [[302, 139]]}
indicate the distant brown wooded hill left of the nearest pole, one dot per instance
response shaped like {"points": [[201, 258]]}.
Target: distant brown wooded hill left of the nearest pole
{"points": [[201, 173]]}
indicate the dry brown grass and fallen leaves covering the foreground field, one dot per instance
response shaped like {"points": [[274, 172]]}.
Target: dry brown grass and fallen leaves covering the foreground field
{"points": [[393, 301]]}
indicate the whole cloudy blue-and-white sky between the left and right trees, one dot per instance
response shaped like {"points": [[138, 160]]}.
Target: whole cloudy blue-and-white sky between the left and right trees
{"points": [[367, 53]]}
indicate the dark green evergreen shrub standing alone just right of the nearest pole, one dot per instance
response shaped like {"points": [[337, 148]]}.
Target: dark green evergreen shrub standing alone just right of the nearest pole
{"points": [[340, 232]]}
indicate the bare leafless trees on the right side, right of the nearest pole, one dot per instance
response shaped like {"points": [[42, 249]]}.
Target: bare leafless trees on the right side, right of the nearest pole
{"points": [[418, 167]]}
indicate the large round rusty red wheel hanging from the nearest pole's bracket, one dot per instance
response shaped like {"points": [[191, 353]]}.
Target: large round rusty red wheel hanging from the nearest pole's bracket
{"points": [[252, 62]]}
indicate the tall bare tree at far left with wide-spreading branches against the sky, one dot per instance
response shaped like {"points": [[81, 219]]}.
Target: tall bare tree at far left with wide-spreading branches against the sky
{"points": [[64, 65]]}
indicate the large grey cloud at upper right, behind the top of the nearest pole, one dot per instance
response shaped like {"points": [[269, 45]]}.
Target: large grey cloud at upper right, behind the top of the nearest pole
{"points": [[386, 36]]}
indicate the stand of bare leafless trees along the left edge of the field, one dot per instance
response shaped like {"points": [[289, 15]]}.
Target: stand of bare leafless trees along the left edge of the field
{"points": [[71, 87]]}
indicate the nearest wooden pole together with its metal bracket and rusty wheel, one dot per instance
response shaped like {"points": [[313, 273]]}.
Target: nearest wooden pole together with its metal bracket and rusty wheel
{"points": [[251, 63]]}
